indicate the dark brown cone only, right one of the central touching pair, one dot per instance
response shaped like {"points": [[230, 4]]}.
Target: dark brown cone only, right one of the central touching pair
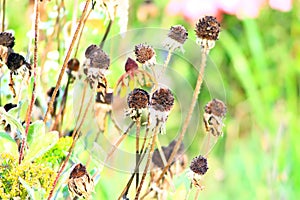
{"points": [[162, 100]]}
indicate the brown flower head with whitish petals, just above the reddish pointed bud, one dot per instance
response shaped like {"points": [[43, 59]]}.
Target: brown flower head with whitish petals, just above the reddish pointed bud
{"points": [[145, 54]]}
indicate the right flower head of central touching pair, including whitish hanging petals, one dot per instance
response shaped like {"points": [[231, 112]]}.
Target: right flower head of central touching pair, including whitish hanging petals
{"points": [[161, 103]]}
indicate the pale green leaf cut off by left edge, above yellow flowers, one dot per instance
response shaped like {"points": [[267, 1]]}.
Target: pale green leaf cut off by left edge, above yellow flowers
{"points": [[8, 144]]}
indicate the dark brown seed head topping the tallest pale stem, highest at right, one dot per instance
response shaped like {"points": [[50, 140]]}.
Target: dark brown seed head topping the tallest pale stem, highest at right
{"points": [[208, 28]]}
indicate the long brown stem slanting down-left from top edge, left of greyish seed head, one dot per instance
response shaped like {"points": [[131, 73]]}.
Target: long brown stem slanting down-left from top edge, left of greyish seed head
{"points": [[62, 71]]}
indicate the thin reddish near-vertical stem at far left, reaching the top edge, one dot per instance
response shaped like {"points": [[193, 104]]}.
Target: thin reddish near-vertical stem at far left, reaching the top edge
{"points": [[29, 110]]}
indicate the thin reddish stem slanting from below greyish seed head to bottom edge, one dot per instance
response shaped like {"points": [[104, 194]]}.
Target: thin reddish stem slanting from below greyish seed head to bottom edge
{"points": [[75, 137]]}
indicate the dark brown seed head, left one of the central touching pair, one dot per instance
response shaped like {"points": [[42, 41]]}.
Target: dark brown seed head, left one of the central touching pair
{"points": [[138, 99]]}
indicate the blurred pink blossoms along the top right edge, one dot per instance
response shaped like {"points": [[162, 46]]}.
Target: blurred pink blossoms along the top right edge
{"points": [[194, 9]]}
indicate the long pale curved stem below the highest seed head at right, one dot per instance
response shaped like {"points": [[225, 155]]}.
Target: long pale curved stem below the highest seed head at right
{"points": [[190, 112]]}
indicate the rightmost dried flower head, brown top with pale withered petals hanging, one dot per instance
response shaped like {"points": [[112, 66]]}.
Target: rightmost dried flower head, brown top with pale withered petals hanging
{"points": [[214, 112]]}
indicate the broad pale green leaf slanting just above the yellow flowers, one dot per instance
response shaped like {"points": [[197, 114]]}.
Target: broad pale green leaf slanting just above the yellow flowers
{"points": [[41, 144]]}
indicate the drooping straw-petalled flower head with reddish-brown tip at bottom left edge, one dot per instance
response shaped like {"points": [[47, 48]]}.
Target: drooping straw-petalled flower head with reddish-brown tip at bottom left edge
{"points": [[80, 183]]}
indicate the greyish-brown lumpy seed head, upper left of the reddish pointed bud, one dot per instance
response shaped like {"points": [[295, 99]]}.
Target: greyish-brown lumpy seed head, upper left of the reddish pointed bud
{"points": [[97, 57]]}
